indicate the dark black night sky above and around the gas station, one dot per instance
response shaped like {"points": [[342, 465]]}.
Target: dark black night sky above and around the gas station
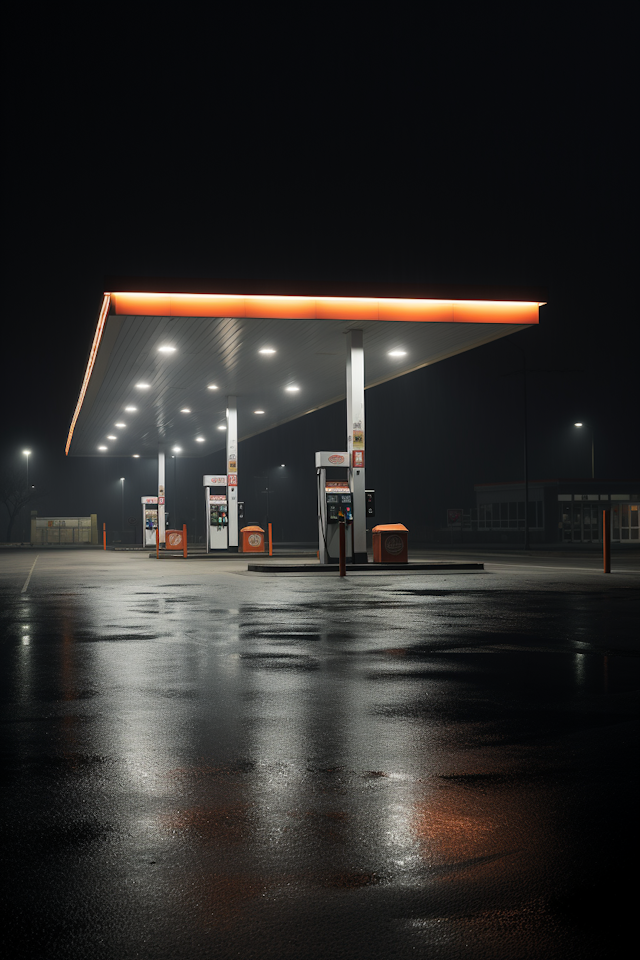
{"points": [[324, 151]]}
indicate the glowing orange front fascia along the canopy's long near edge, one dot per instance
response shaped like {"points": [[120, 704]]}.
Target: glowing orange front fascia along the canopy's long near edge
{"points": [[324, 308]]}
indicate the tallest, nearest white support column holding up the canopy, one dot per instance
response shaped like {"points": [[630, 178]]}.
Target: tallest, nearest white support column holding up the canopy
{"points": [[355, 441]]}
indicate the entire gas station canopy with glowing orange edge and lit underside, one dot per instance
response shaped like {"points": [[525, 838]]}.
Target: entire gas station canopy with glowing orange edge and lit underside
{"points": [[162, 363]]}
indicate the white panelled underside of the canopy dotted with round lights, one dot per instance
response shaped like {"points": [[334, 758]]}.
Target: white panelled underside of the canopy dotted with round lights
{"points": [[224, 352]]}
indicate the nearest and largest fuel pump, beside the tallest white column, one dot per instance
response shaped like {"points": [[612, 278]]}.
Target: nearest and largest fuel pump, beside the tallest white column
{"points": [[335, 504]]}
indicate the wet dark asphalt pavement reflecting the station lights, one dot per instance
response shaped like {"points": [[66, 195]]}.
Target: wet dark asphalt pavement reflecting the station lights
{"points": [[202, 762]]}
